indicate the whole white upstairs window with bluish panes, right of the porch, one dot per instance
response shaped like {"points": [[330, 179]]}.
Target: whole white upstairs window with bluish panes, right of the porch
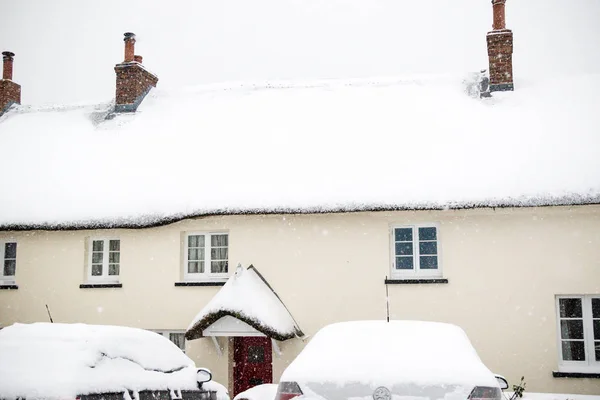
{"points": [[415, 251]]}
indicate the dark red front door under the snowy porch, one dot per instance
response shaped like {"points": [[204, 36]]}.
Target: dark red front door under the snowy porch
{"points": [[252, 362]]}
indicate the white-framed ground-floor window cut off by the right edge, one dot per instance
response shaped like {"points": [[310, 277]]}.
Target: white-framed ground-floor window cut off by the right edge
{"points": [[578, 333]]}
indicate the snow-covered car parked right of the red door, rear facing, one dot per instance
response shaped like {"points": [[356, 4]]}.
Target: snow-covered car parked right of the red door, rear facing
{"points": [[382, 360]]}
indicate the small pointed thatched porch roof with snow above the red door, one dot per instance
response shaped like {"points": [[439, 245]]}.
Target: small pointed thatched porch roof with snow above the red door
{"points": [[248, 297]]}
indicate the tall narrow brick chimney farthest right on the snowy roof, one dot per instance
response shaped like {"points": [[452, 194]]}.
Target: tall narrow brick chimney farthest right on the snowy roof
{"points": [[500, 47]]}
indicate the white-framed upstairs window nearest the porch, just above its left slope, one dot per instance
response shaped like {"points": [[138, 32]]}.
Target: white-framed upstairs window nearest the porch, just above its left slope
{"points": [[206, 256]]}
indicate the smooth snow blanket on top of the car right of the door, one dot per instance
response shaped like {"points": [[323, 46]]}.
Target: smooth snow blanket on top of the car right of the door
{"points": [[389, 353]]}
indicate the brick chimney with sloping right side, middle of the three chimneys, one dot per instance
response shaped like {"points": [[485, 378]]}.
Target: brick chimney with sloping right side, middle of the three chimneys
{"points": [[133, 80]]}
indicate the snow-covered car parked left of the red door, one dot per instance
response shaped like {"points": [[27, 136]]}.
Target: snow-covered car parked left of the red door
{"points": [[89, 362]]}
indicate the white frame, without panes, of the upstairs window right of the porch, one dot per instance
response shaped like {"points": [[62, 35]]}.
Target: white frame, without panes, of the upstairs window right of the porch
{"points": [[416, 272]]}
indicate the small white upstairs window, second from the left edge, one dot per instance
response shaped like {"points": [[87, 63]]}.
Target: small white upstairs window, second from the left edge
{"points": [[104, 259]]}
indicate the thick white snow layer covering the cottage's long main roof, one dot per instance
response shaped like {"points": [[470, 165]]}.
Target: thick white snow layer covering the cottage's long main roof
{"points": [[405, 143]]}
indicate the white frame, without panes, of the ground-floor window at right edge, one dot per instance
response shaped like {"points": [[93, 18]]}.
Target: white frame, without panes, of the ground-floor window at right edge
{"points": [[590, 365]]}
